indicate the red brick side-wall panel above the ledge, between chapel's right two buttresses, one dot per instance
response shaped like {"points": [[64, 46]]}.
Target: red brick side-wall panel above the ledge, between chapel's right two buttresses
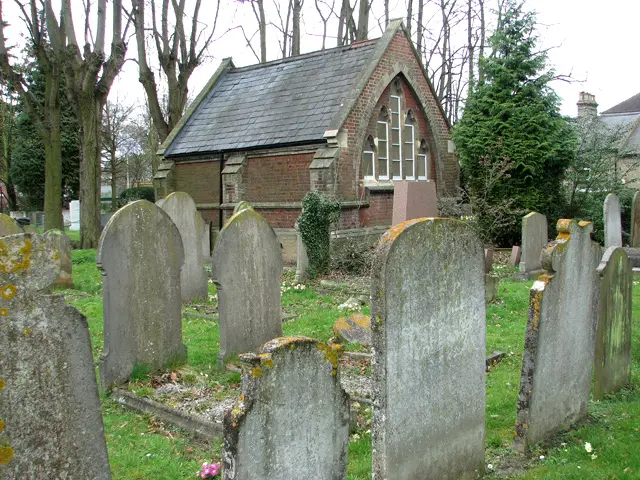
{"points": [[282, 178]]}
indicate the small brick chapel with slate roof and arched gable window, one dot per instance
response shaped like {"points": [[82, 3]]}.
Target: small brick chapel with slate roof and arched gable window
{"points": [[349, 121]]}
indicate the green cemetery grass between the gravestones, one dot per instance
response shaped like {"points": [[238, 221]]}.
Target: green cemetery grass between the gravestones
{"points": [[141, 447]]}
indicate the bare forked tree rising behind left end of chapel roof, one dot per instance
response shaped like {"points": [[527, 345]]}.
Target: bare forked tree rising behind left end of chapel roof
{"points": [[178, 51]]}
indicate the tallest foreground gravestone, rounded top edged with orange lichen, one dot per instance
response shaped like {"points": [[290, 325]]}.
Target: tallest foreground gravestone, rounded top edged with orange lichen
{"points": [[428, 322]]}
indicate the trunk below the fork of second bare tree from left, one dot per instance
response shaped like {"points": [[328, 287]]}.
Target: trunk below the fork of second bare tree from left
{"points": [[90, 110]]}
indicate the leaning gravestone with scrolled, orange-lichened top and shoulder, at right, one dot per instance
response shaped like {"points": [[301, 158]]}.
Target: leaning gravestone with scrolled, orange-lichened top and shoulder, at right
{"points": [[560, 336]]}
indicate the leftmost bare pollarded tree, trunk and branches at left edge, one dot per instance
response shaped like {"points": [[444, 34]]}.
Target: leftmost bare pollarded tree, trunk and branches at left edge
{"points": [[44, 112]]}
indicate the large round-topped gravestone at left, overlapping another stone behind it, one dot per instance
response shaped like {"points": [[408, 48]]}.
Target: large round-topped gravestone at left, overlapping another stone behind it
{"points": [[140, 255]]}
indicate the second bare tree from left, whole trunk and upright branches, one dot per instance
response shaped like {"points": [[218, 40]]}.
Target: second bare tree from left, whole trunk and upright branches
{"points": [[90, 75]]}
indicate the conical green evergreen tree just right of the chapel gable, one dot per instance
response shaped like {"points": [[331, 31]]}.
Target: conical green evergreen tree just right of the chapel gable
{"points": [[512, 125]]}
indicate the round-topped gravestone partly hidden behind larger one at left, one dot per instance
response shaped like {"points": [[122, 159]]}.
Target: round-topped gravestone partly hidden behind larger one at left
{"points": [[193, 277]]}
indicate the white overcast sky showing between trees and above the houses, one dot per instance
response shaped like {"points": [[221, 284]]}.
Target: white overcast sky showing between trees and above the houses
{"points": [[596, 43]]}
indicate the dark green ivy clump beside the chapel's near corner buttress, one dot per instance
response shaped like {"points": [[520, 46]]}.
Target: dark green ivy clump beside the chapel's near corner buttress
{"points": [[318, 213]]}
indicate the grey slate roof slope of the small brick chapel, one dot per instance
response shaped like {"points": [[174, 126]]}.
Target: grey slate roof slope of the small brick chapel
{"points": [[288, 101]]}
